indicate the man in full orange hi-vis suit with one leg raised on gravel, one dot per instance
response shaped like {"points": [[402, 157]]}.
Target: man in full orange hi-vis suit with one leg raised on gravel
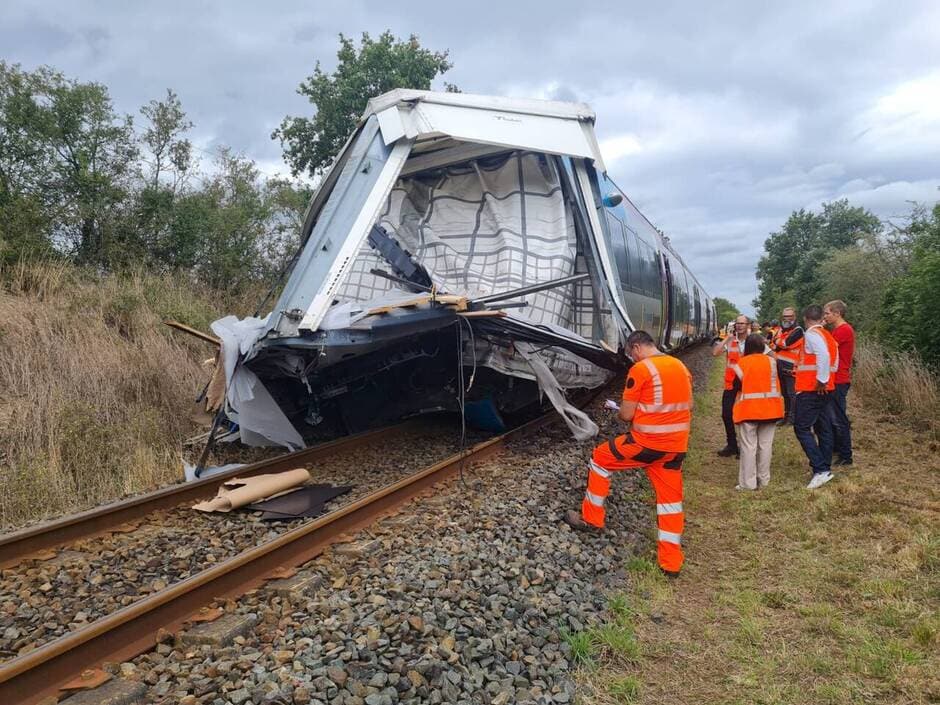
{"points": [[657, 400]]}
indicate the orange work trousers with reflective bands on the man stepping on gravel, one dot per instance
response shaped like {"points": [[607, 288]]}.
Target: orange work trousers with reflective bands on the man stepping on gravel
{"points": [[664, 469]]}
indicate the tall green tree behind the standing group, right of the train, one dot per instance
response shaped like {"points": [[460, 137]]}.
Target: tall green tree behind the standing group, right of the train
{"points": [[789, 272]]}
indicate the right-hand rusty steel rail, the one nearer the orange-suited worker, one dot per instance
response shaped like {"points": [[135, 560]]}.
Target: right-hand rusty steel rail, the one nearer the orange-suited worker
{"points": [[134, 629]]}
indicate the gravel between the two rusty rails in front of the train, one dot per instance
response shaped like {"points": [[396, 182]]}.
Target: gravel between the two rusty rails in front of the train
{"points": [[41, 600]]}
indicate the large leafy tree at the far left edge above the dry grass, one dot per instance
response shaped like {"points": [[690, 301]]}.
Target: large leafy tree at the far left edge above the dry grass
{"points": [[65, 155]]}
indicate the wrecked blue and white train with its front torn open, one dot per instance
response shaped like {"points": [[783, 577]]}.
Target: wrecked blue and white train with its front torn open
{"points": [[464, 253]]}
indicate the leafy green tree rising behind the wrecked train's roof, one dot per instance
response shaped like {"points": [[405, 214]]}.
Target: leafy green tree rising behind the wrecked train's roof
{"points": [[377, 66]]}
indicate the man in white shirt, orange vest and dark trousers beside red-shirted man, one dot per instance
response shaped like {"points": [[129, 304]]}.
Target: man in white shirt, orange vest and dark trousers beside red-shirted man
{"points": [[812, 423]]}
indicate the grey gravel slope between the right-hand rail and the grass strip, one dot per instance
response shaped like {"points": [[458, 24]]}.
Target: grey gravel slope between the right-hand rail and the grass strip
{"points": [[460, 598]]}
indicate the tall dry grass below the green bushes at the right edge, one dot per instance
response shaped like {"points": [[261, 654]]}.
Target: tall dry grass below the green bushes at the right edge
{"points": [[898, 384]]}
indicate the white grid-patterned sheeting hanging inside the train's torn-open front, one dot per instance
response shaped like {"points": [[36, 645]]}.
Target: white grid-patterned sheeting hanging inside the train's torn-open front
{"points": [[492, 225]]}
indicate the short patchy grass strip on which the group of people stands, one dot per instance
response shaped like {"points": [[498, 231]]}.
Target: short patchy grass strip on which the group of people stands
{"points": [[789, 596]]}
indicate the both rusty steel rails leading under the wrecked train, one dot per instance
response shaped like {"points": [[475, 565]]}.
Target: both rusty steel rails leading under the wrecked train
{"points": [[32, 676]]}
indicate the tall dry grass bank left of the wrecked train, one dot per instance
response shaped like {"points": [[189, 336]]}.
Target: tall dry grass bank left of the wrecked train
{"points": [[95, 392]]}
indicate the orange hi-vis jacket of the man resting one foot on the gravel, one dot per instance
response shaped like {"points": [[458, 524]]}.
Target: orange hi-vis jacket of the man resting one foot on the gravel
{"points": [[663, 414]]}
